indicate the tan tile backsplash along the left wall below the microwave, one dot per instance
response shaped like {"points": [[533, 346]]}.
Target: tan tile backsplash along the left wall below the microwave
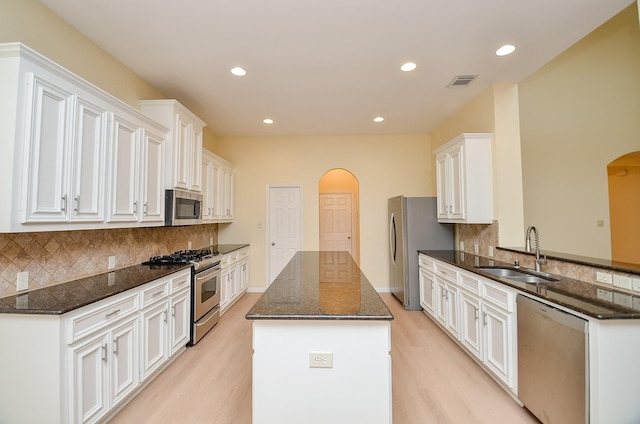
{"points": [[60, 256]]}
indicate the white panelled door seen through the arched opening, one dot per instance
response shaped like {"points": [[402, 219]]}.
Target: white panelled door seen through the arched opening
{"points": [[336, 222]]}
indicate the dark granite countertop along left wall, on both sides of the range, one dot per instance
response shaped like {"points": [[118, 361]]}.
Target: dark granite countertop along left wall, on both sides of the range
{"points": [[61, 298]]}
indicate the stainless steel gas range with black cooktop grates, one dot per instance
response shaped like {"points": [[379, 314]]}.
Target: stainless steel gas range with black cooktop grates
{"points": [[205, 287]]}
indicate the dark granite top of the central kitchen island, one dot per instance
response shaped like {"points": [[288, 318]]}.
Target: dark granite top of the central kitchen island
{"points": [[320, 286]]}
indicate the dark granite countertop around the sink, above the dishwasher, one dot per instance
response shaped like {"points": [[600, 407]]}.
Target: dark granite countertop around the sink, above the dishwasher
{"points": [[576, 295]]}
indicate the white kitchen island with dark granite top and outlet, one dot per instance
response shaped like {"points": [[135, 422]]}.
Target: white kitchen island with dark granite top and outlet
{"points": [[321, 340]]}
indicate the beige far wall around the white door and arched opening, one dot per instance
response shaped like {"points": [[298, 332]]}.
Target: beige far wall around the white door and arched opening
{"points": [[385, 166]]}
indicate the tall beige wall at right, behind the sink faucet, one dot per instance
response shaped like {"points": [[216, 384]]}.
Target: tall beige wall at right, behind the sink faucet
{"points": [[578, 113]]}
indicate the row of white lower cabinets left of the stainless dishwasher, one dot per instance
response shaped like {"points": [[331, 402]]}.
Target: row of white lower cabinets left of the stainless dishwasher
{"points": [[477, 312]]}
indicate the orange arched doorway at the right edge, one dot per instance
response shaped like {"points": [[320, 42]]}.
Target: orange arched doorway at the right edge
{"points": [[624, 204]]}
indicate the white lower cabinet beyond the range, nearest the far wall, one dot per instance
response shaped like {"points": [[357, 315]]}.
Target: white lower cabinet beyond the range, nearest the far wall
{"points": [[234, 277]]}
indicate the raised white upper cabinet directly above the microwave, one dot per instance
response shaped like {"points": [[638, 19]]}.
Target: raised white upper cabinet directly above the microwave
{"points": [[184, 142]]}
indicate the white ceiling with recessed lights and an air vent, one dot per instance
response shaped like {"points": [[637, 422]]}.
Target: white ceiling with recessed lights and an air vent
{"points": [[326, 67]]}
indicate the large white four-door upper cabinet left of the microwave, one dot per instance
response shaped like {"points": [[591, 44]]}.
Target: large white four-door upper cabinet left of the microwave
{"points": [[74, 157]]}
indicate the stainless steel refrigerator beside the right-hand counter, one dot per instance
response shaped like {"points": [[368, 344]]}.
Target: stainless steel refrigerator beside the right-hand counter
{"points": [[413, 226]]}
